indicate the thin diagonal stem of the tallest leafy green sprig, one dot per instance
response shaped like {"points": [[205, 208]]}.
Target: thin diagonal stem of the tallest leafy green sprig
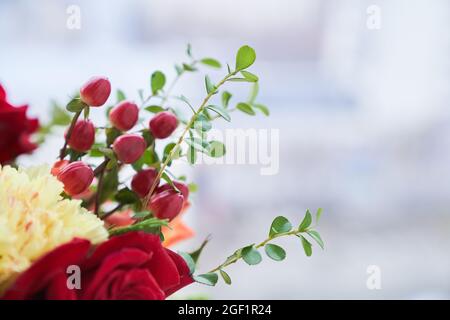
{"points": [[181, 138]]}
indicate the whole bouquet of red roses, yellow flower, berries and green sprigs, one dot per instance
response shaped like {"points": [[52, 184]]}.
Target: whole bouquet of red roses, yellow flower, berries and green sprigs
{"points": [[85, 228]]}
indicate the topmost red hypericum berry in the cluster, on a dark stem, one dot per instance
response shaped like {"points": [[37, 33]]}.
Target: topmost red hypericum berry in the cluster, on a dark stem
{"points": [[96, 91]]}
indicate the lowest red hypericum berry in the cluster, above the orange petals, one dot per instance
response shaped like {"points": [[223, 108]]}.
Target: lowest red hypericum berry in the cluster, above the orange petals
{"points": [[166, 204]]}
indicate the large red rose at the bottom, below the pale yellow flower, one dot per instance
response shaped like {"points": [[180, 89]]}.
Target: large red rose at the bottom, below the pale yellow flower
{"points": [[132, 266]]}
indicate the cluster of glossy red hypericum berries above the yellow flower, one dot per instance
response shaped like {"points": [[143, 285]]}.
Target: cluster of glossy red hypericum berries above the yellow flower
{"points": [[167, 200]]}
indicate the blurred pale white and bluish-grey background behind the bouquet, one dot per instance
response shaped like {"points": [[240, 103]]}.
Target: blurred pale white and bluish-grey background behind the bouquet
{"points": [[362, 108]]}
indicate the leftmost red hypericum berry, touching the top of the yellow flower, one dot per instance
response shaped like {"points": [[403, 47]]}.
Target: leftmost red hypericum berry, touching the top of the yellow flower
{"points": [[76, 177]]}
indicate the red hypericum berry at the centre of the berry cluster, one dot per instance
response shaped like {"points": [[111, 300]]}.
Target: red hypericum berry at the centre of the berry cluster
{"points": [[129, 148]]}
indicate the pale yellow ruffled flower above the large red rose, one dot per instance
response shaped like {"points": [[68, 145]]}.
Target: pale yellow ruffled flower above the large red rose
{"points": [[35, 219]]}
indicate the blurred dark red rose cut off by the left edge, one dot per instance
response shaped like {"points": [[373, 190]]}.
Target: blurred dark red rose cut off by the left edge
{"points": [[15, 130]]}
